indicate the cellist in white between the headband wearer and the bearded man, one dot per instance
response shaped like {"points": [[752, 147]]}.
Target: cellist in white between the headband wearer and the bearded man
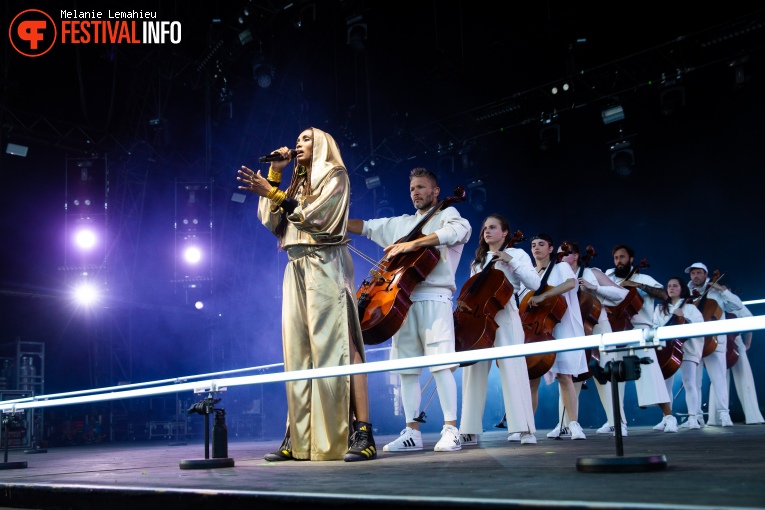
{"points": [[597, 284]]}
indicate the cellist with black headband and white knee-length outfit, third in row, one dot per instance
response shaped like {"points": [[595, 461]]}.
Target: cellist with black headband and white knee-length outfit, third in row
{"points": [[568, 363]]}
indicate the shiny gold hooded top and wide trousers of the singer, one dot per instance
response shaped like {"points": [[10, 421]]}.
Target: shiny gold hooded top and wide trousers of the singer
{"points": [[319, 310]]}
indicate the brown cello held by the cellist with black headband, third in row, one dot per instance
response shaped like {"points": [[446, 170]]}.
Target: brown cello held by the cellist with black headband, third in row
{"points": [[539, 322]]}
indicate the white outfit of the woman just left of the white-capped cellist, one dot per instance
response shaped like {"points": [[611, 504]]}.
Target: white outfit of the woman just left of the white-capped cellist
{"points": [[692, 349]]}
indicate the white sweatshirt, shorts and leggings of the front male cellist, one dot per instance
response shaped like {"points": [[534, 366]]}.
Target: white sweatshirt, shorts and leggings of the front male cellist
{"points": [[429, 325]]}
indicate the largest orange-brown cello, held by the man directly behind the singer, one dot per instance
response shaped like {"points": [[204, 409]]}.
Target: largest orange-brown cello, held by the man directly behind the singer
{"points": [[384, 295]]}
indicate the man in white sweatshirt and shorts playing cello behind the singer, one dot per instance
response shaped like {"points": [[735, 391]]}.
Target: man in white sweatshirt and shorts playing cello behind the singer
{"points": [[429, 326]]}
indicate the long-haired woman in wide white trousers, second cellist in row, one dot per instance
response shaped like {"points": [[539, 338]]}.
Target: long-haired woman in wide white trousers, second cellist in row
{"points": [[517, 268]]}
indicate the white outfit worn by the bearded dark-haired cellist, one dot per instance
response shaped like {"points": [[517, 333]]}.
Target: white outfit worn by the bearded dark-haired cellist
{"points": [[650, 387]]}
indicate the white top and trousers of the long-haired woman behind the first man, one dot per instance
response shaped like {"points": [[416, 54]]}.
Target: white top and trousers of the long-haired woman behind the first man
{"points": [[513, 371]]}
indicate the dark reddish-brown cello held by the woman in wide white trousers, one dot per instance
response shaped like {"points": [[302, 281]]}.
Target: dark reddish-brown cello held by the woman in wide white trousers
{"points": [[481, 298]]}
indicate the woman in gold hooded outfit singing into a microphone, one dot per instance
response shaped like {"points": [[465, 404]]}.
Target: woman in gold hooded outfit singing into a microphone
{"points": [[320, 323]]}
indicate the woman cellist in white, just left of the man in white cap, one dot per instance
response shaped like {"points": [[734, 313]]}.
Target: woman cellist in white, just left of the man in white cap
{"points": [[678, 304]]}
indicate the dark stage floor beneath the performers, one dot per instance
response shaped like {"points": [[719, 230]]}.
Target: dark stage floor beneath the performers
{"points": [[709, 468]]}
